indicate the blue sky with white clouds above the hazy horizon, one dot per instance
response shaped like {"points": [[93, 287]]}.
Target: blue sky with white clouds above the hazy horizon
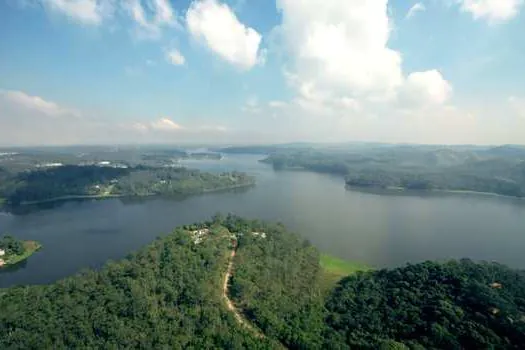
{"points": [[261, 71]]}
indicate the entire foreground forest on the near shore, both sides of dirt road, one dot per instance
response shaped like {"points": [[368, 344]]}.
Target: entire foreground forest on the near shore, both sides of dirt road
{"points": [[169, 295]]}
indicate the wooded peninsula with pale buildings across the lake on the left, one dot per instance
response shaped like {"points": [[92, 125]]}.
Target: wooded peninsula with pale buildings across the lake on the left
{"points": [[103, 181]]}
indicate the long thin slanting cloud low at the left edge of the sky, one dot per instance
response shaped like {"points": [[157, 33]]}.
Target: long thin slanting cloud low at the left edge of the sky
{"points": [[20, 99]]}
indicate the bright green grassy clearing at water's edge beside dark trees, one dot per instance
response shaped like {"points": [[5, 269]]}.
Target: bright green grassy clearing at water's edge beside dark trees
{"points": [[334, 269]]}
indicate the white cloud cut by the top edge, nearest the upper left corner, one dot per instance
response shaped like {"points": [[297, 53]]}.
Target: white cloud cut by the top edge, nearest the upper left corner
{"points": [[91, 12]]}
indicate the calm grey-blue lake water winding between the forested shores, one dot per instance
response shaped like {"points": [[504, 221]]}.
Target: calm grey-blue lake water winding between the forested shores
{"points": [[381, 230]]}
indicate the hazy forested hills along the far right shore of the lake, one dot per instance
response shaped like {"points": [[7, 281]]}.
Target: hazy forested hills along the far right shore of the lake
{"points": [[499, 170]]}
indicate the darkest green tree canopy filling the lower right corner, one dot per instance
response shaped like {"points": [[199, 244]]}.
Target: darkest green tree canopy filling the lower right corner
{"points": [[434, 306]]}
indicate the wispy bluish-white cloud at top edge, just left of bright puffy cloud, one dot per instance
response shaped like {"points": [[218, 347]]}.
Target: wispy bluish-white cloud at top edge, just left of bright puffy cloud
{"points": [[151, 22]]}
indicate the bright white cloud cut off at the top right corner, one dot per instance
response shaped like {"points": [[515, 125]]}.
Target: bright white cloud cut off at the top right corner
{"points": [[492, 10]]}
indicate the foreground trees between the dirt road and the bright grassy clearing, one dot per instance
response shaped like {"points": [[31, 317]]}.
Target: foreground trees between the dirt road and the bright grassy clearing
{"points": [[276, 284]]}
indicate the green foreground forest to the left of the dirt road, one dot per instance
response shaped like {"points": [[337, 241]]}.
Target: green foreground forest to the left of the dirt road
{"points": [[167, 296]]}
